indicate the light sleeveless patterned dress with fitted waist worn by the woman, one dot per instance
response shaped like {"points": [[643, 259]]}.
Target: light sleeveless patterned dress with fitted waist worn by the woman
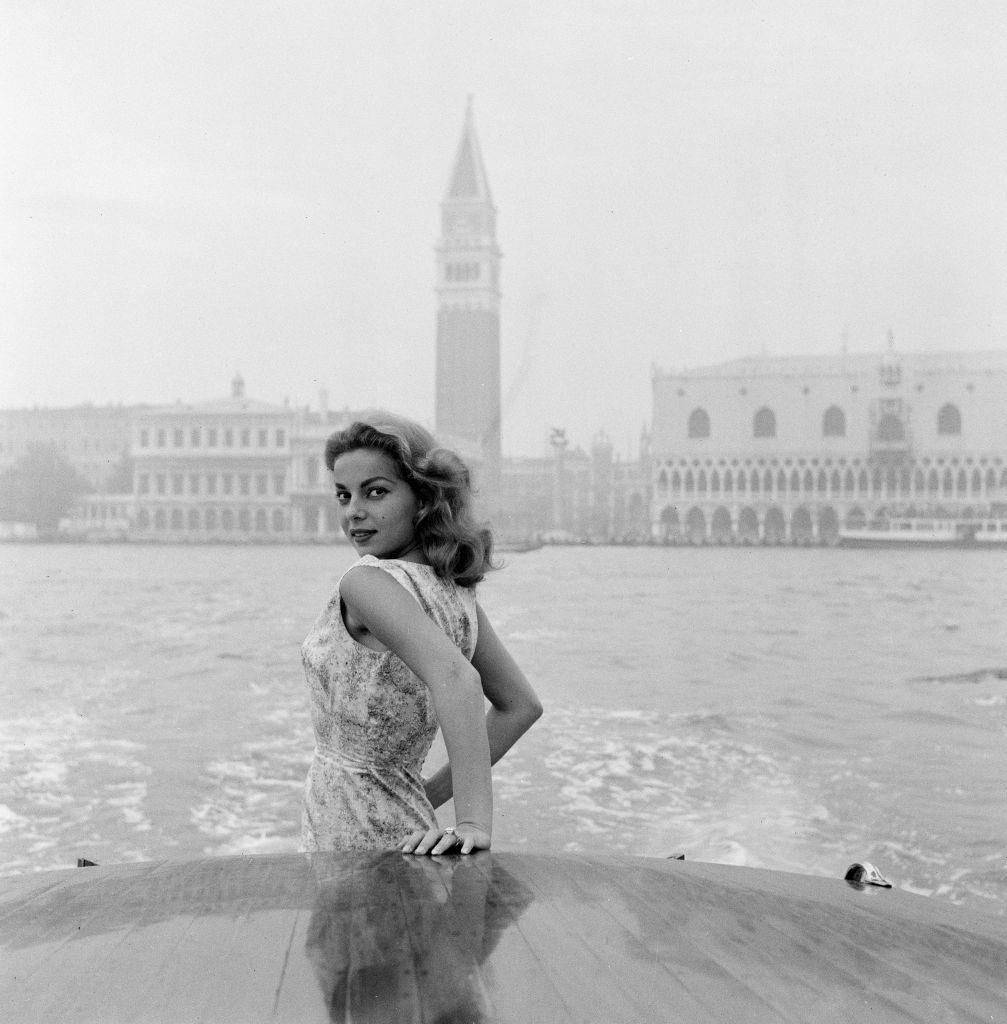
{"points": [[374, 721]]}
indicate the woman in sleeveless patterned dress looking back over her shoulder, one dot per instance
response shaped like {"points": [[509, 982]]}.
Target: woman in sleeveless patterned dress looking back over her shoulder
{"points": [[403, 648]]}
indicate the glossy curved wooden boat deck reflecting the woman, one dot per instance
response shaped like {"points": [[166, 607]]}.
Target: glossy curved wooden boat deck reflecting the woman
{"points": [[496, 937]]}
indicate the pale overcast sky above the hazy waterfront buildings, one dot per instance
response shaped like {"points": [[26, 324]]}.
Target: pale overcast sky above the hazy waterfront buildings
{"points": [[193, 189]]}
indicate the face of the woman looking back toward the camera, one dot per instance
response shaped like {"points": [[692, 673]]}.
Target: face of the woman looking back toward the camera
{"points": [[377, 508]]}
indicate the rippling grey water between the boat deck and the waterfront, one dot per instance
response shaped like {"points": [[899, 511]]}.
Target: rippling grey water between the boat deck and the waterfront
{"points": [[791, 709]]}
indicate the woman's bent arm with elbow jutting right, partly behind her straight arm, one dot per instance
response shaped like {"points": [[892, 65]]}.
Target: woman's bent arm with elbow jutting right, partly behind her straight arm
{"points": [[515, 705]]}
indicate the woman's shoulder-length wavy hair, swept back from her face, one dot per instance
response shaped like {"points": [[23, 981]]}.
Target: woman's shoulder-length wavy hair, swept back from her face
{"points": [[456, 546]]}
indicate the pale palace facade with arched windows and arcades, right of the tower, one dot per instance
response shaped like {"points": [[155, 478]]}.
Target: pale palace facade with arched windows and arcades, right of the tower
{"points": [[781, 450]]}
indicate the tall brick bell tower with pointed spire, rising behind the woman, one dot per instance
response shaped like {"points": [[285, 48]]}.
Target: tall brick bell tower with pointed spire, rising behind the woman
{"points": [[469, 319]]}
